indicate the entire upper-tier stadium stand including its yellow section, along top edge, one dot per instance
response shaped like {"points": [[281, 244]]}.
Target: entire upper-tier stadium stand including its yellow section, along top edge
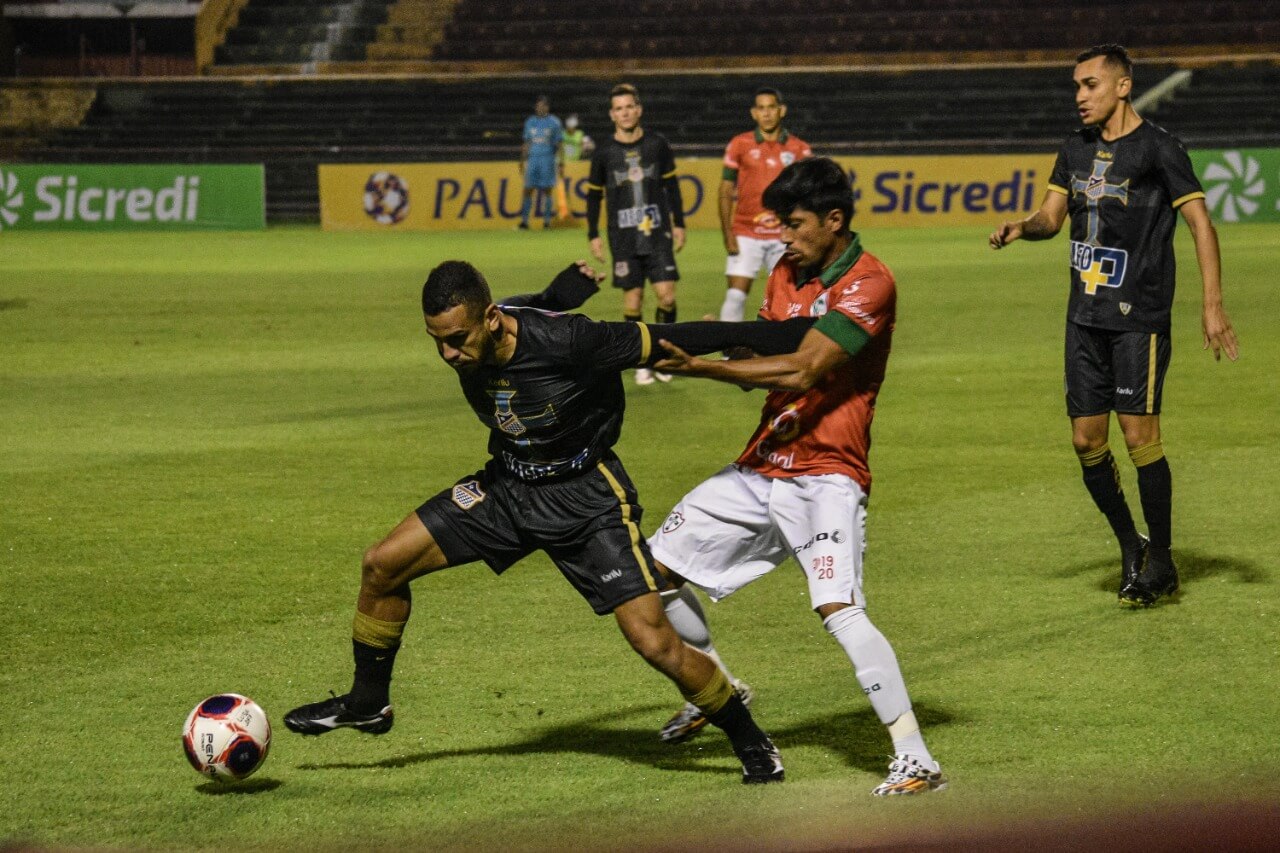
{"points": [[478, 37]]}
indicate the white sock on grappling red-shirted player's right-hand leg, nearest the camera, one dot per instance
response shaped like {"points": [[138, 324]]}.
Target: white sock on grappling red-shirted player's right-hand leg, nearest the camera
{"points": [[877, 672]]}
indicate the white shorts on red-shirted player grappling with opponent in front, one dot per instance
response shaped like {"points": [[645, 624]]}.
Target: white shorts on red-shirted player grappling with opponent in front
{"points": [[738, 526]]}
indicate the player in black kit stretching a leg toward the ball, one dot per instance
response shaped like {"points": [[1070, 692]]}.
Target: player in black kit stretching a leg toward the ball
{"points": [[548, 387]]}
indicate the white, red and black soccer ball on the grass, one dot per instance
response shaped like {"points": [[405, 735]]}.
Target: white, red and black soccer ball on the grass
{"points": [[227, 737]]}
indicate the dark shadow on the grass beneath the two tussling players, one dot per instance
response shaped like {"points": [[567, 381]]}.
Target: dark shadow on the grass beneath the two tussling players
{"points": [[858, 737]]}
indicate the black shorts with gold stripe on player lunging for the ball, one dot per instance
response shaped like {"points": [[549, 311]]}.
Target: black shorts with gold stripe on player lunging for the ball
{"points": [[588, 526]]}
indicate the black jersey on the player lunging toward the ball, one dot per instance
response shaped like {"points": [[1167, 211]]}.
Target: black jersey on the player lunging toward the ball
{"points": [[556, 409]]}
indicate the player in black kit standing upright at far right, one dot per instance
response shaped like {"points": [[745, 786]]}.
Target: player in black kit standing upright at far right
{"points": [[1123, 181]]}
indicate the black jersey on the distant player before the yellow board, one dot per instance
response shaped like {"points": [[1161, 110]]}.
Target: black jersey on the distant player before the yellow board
{"points": [[638, 207]]}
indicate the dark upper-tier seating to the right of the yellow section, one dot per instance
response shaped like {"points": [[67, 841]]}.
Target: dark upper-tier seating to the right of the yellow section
{"points": [[542, 30]]}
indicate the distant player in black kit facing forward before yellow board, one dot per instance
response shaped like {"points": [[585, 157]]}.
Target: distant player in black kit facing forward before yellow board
{"points": [[646, 216]]}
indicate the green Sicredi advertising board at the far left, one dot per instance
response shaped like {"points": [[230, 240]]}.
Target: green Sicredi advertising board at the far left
{"points": [[177, 198]]}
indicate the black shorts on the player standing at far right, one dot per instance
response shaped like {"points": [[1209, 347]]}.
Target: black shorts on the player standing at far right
{"points": [[1122, 372]]}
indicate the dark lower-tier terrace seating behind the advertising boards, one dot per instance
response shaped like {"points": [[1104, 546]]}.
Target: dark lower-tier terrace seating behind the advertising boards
{"points": [[294, 125]]}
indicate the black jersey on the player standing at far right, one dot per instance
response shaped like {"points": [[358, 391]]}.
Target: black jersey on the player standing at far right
{"points": [[1123, 198]]}
